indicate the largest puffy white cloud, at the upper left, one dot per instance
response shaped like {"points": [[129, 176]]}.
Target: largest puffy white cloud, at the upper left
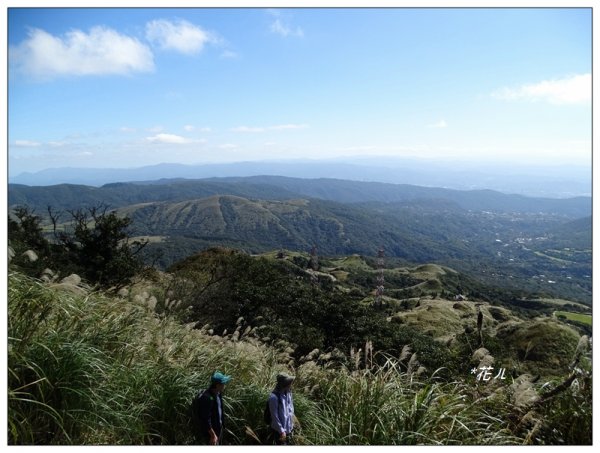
{"points": [[102, 51]]}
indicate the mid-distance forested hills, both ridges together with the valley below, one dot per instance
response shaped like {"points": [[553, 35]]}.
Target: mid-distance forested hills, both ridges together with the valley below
{"points": [[539, 244]]}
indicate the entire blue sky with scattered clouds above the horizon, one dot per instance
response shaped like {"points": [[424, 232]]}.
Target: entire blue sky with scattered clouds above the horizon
{"points": [[133, 87]]}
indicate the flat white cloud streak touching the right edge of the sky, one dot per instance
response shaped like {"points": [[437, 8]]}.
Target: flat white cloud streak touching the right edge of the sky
{"points": [[576, 89]]}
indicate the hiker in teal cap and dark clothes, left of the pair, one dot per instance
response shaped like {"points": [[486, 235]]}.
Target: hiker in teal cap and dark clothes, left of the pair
{"points": [[207, 411]]}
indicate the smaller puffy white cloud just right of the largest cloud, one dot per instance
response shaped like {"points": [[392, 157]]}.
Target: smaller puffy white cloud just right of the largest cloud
{"points": [[181, 36]]}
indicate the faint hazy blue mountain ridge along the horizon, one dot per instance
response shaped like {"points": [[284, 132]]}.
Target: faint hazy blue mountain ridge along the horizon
{"points": [[537, 181]]}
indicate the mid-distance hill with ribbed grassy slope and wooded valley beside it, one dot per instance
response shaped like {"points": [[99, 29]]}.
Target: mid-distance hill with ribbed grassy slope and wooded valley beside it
{"points": [[413, 232]]}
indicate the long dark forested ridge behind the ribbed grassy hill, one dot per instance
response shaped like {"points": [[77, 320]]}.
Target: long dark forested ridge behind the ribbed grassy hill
{"points": [[66, 196]]}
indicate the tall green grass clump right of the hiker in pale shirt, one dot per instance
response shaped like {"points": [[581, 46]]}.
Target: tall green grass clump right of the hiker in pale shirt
{"points": [[386, 405]]}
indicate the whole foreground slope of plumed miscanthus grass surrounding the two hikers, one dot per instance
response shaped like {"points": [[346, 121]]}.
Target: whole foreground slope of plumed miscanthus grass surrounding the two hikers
{"points": [[92, 369]]}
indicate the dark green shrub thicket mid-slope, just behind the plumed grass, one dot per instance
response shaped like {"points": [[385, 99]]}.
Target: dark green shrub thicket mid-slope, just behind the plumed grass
{"points": [[224, 285]]}
